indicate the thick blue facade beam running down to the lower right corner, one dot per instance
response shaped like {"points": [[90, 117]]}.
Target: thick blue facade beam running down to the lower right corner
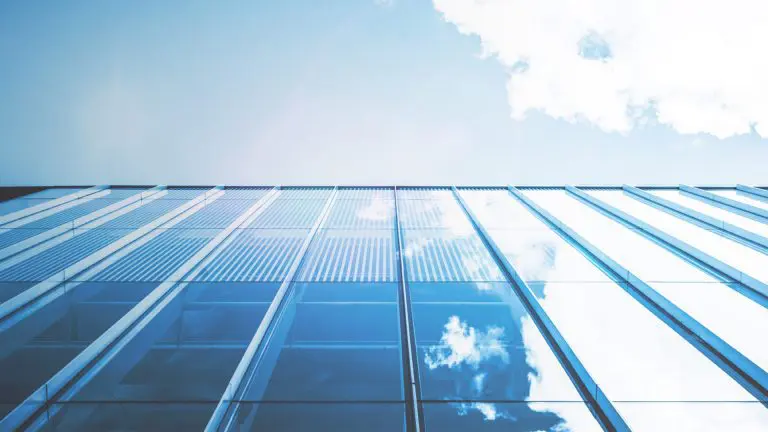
{"points": [[740, 368]]}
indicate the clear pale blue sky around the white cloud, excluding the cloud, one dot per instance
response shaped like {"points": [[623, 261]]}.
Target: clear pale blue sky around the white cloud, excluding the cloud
{"points": [[296, 92]]}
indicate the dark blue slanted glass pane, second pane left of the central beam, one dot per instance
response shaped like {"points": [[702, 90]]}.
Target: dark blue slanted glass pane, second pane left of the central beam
{"points": [[186, 352]]}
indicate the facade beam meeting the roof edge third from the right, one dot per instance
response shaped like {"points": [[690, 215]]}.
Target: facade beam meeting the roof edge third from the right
{"points": [[729, 230]]}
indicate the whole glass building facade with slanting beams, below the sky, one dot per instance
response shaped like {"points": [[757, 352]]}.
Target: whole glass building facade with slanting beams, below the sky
{"points": [[384, 308]]}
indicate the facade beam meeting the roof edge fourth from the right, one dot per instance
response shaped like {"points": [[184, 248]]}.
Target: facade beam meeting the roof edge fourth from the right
{"points": [[756, 289]]}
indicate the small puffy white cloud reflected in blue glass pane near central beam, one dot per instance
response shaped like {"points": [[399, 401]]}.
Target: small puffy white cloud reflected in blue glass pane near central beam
{"points": [[462, 344]]}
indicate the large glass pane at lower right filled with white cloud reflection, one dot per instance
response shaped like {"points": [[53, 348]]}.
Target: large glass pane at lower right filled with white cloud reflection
{"points": [[631, 354]]}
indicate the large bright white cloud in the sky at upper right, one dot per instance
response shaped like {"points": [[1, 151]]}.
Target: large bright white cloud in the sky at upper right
{"points": [[700, 65]]}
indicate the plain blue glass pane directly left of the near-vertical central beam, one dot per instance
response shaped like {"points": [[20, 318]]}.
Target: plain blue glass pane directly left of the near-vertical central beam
{"points": [[333, 345]]}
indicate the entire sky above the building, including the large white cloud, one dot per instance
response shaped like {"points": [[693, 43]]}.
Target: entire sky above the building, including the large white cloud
{"points": [[401, 92]]}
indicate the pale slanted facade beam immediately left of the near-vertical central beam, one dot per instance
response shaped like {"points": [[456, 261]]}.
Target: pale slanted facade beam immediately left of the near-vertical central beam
{"points": [[227, 408]]}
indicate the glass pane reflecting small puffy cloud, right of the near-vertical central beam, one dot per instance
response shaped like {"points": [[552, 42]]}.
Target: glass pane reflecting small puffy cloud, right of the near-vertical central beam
{"points": [[483, 350]]}
